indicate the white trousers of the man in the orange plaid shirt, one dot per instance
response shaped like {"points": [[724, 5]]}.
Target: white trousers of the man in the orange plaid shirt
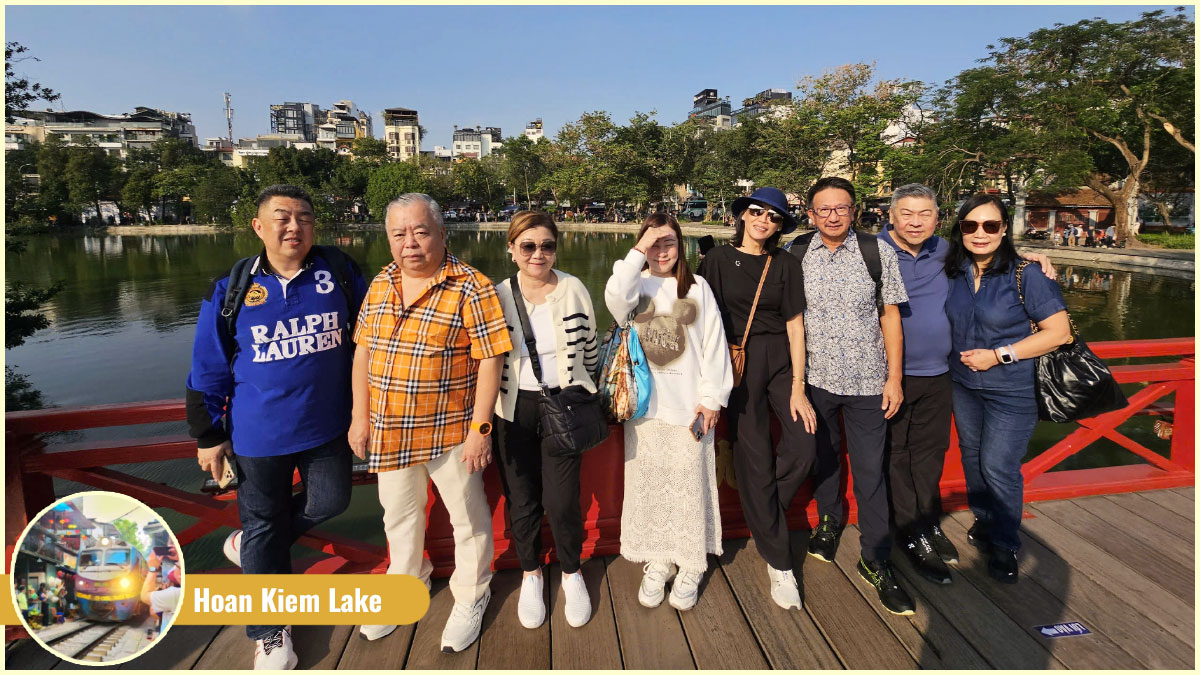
{"points": [[404, 495]]}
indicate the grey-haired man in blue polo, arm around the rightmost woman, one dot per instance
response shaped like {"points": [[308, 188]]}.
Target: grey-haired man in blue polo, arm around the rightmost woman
{"points": [[920, 433]]}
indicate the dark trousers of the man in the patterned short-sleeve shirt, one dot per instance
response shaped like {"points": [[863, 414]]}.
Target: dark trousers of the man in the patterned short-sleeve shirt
{"points": [[867, 439]]}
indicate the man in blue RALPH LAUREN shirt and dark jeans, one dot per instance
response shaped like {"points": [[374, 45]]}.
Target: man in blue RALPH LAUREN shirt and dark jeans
{"points": [[277, 393]]}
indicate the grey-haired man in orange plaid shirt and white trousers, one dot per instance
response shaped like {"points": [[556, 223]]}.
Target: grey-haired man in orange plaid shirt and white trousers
{"points": [[430, 348]]}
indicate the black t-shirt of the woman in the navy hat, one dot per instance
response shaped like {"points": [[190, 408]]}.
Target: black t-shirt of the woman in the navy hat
{"points": [[735, 277]]}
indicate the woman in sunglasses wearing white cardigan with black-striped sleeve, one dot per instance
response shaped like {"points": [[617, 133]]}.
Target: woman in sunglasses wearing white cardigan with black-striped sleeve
{"points": [[565, 328]]}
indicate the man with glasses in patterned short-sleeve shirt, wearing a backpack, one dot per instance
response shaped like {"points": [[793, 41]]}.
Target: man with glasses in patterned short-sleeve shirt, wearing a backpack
{"points": [[854, 368]]}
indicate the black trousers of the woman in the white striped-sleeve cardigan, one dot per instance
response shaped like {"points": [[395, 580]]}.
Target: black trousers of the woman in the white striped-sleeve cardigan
{"points": [[537, 485]]}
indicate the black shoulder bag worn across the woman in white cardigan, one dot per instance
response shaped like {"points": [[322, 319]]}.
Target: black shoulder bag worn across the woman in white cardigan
{"points": [[571, 422]]}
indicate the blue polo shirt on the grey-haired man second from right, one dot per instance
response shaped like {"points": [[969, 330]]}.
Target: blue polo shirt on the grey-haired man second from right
{"points": [[927, 332]]}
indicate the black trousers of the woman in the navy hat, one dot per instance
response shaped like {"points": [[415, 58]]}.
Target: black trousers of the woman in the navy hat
{"points": [[769, 477]]}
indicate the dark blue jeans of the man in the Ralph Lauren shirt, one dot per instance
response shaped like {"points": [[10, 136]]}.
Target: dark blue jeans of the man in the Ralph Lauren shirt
{"points": [[273, 518]]}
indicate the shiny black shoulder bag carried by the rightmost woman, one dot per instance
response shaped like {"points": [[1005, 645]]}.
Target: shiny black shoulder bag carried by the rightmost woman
{"points": [[1072, 383]]}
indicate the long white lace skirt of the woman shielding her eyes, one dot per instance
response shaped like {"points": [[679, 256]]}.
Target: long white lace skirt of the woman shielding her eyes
{"points": [[670, 512]]}
